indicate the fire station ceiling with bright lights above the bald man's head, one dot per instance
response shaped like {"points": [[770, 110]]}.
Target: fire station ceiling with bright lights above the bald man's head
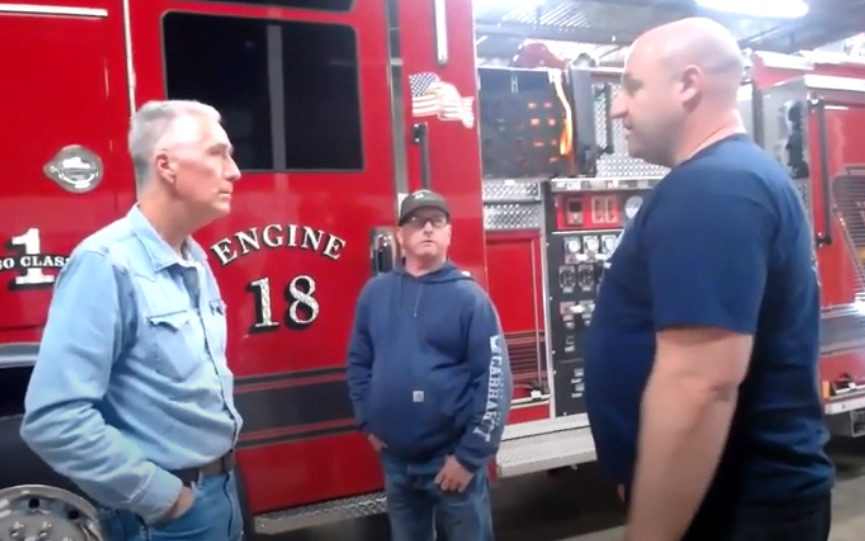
{"points": [[603, 28]]}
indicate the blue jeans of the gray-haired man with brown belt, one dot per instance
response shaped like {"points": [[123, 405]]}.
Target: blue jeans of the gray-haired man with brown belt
{"points": [[215, 515]]}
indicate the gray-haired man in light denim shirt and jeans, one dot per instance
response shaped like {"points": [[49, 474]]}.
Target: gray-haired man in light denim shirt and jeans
{"points": [[131, 397]]}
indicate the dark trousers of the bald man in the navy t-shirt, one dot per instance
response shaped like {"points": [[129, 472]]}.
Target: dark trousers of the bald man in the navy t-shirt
{"points": [[805, 520]]}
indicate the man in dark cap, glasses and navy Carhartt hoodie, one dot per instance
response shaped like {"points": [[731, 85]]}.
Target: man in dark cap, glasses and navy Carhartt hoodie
{"points": [[430, 381]]}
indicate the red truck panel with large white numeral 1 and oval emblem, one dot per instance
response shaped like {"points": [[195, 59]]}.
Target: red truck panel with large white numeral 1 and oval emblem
{"points": [[64, 110]]}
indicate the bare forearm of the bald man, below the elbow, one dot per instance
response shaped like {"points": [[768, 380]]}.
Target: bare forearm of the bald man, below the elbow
{"points": [[682, 435]]}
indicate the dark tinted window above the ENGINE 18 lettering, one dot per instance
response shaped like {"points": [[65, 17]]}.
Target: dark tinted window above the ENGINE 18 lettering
{"points": [[287, 90]]}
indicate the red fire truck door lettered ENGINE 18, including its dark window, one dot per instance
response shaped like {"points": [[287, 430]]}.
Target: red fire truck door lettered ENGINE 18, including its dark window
{"points": [[304, 91]]}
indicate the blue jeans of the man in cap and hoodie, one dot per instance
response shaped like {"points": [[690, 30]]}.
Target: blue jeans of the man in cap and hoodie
{"points": [[415, 503]]}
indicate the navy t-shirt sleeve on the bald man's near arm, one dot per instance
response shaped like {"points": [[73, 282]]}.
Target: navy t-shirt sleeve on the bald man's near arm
{"points": [[707, 241]]}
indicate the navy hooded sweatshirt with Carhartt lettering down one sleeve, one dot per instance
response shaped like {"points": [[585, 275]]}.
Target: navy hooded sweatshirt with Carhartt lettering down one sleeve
{"points": [[428, 370]]}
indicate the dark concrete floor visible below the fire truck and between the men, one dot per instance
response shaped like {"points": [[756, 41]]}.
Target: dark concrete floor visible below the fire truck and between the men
{"points": [[582, 506]]}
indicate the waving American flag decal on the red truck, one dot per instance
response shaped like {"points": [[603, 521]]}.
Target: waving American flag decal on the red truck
{"points": [[430, 96]]}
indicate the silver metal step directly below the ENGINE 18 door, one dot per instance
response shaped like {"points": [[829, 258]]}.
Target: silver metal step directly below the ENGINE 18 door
{"points": [[319, 514]]}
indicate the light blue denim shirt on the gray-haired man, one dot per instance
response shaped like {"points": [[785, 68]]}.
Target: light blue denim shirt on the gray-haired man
{"points": [[131, 381]]}
